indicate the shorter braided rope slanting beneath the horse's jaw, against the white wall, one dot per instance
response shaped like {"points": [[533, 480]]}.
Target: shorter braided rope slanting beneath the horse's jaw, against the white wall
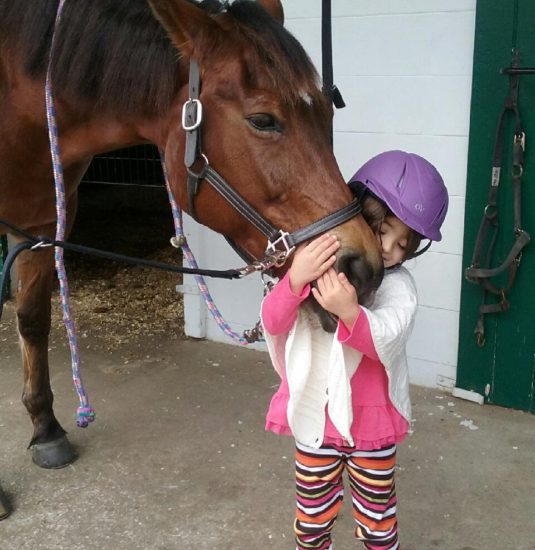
{"points": [[190, 258]]}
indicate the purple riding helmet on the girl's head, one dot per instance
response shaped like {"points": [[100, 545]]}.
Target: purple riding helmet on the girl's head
{"points": [[410, 186]]}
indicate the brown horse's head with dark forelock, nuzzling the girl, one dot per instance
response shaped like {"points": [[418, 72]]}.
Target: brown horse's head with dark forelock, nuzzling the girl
{"points": [[266, 129]]}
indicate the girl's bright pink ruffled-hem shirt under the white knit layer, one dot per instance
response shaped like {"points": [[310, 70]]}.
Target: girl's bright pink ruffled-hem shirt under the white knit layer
{"points": [[376, 422]]}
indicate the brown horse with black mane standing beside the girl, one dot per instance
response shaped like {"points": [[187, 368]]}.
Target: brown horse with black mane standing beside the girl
{"points": [[120, 76]]}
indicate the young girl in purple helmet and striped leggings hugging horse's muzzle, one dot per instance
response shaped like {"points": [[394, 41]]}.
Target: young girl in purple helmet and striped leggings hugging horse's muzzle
{"points": [[345, 396]]}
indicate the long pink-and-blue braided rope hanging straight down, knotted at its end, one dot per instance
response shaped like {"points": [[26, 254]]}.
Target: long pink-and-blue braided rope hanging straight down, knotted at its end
{"points": [[85, 413]]}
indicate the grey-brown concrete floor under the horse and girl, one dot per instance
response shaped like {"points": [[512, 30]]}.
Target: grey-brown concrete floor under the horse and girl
{"points": [[178, 459]]}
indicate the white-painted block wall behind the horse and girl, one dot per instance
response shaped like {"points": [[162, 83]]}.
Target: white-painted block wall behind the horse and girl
{"points": [[405, 72]]}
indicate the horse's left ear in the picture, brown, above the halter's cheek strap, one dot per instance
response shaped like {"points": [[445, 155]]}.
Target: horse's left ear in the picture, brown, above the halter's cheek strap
{"points": [[185, 23]]}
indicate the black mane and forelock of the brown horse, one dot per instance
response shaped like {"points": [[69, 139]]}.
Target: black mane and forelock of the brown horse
{"points": [[114, 55]]}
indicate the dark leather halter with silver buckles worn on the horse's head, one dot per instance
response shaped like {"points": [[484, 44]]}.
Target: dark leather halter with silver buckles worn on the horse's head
{"points": [[279, 241]]}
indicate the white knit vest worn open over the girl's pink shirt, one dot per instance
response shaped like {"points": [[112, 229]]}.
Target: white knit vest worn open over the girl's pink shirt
{"points": [[319, 368]]}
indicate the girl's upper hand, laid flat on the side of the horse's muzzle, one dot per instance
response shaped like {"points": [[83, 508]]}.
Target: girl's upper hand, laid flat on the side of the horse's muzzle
{"points": [[312, 260]]}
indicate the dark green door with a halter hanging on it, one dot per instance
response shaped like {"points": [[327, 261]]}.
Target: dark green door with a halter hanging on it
{"points": [[504, 368]]}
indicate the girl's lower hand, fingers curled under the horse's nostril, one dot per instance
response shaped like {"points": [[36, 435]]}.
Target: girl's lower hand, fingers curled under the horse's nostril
{"points": [[338, 296]]}
